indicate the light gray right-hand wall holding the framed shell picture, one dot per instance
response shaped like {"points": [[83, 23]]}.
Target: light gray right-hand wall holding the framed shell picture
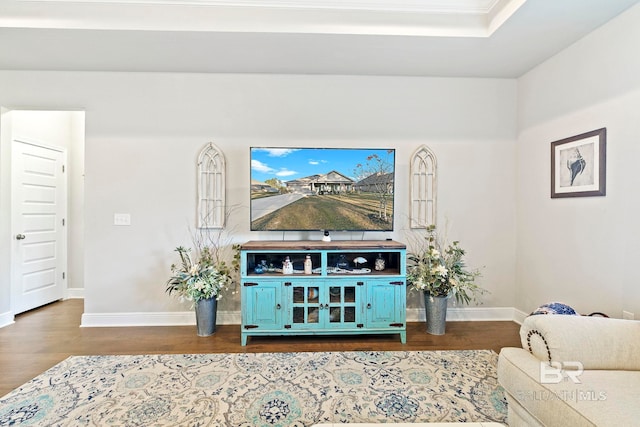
{"points": [[582, 251]]}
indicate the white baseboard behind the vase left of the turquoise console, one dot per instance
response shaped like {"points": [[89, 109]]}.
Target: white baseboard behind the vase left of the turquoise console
{"points": [[180, 318]]}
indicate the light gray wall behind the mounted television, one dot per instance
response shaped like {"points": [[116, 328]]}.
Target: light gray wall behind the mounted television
{"points": [[144, 131]]}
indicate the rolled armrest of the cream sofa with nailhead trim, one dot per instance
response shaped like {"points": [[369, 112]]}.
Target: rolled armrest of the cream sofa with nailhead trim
{"points": [[596, 342]]}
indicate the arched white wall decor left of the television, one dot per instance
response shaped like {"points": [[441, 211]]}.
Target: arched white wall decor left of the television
{"points": [[211, 188]]}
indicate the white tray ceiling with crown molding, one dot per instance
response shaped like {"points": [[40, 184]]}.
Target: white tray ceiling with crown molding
{"points": [[471, 38]]}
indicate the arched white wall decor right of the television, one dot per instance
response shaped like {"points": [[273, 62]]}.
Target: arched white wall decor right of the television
{"points": [[423, 188]]}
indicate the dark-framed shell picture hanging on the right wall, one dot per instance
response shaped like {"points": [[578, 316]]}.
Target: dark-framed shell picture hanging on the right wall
{"points": [[578, 165]]}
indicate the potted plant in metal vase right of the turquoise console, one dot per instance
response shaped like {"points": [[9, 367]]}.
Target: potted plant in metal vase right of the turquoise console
{"points": [[440, 274]]}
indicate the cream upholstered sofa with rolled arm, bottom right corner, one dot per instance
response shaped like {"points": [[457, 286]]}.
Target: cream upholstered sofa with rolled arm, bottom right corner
{"points": [[573, 371]]}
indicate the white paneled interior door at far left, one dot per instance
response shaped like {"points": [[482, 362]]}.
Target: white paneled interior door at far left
{"points": [[39, 207]]}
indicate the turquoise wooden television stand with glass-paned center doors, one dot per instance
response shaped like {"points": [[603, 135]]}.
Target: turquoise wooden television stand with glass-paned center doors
{"points": [[353, 287]]}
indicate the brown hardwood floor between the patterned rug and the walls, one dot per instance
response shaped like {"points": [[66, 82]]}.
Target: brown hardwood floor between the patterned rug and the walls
{"points": [[44, 337]]}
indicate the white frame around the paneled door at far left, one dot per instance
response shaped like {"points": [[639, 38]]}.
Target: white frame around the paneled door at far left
{"points": [[64, 263]]}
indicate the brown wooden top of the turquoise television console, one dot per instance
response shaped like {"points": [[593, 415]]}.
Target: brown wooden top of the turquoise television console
{"points": [[305, 245]]}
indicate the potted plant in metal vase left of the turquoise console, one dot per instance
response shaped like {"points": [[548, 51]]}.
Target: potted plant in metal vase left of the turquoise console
{"points": [[203, 281]]}
